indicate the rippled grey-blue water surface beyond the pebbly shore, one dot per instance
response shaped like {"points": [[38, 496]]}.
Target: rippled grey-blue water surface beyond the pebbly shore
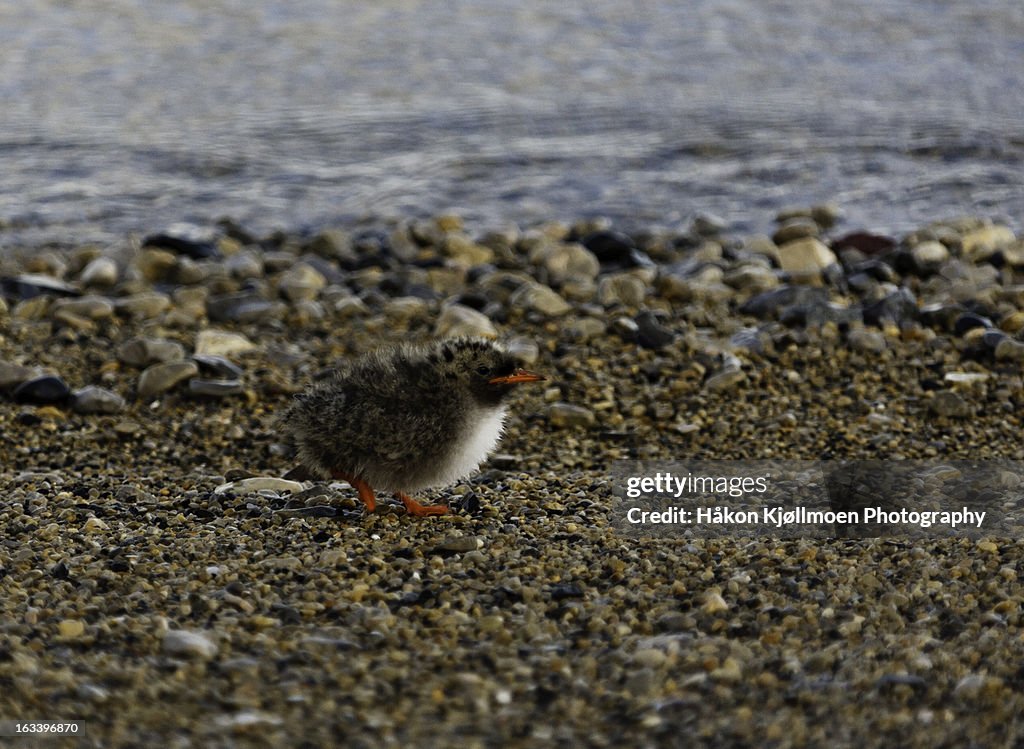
{"points": [[124, 116]]}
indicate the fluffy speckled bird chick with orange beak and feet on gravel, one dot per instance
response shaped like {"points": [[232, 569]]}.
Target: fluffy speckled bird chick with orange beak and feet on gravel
{"points": [[406, 419]]}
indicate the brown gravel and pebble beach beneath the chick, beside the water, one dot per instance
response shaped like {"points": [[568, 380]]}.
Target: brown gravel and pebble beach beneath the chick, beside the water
{"points": [[161, 581]]}
